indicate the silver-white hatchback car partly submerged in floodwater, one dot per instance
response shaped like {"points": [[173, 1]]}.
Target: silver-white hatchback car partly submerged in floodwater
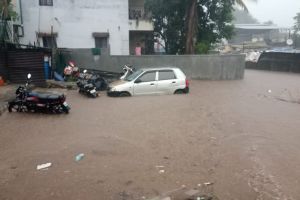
{"points": [[166, 80]]}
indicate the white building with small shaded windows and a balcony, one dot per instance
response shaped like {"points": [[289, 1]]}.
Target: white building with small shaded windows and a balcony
{"points": [[115, 26]]}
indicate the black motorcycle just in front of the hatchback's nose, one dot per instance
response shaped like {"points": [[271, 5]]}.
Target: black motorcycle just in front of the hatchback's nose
{"points": [[90, 84]]}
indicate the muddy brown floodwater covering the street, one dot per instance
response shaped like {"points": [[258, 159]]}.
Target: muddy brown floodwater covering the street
{"points": [[242, 136]]}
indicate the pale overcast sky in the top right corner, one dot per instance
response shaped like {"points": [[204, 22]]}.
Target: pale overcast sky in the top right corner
{"points": [[281, 12]]}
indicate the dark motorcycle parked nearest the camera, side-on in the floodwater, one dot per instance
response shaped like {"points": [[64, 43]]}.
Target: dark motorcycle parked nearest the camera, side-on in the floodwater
{"points": [[27, 101]]}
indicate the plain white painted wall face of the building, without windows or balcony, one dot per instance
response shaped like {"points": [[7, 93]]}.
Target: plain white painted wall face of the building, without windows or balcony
{"points": [[76, 20]]}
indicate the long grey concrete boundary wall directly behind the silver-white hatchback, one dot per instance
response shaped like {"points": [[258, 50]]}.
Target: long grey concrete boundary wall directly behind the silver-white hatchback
{"points": [[210, 67]]}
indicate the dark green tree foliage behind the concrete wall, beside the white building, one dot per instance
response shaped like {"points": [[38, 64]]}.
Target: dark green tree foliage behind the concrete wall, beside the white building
{"points": [[172, 22]]}
